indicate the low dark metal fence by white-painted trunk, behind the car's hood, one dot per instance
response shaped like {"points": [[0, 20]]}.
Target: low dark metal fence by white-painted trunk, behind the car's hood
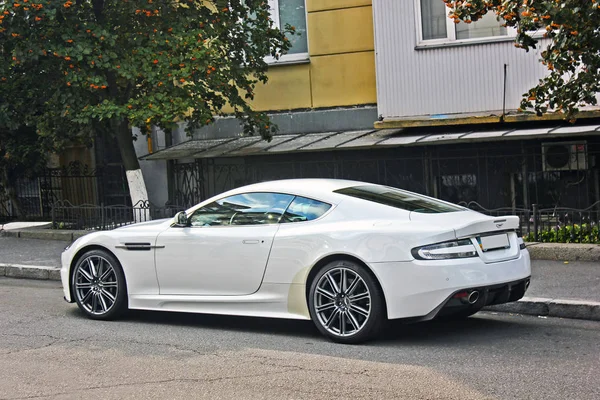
{"points": [[92, 217]]}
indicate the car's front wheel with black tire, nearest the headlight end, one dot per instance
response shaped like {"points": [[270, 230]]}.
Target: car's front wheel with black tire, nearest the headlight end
{"points": [[113, 286]]}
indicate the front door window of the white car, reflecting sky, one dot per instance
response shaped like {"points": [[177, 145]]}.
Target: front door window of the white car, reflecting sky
{"points": [[243, 209]]}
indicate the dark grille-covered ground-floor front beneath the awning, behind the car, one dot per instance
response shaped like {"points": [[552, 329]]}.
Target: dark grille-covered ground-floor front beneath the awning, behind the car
{"points": [[511, 174]]}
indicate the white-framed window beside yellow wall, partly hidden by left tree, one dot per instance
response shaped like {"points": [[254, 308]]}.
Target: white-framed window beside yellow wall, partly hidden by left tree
{"points": [[291, 12]]}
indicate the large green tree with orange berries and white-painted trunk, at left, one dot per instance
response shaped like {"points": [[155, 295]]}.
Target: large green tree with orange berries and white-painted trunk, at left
{"points": [[111, 65]]}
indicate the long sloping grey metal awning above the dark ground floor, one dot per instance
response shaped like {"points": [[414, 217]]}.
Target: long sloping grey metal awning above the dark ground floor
{"points": [[384, 138]]}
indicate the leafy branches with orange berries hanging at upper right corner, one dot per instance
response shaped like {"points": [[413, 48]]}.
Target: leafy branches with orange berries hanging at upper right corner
{"points": [[572, 55]]}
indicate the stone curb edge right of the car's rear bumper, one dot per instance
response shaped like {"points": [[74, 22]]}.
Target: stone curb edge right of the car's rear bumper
{"points": [[558, 308]]}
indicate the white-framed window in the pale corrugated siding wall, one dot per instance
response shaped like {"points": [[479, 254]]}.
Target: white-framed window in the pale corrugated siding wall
{"points": [[436, 27]]}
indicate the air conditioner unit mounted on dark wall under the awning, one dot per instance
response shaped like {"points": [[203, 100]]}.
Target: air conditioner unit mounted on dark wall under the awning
{"points": [[565, 156]]}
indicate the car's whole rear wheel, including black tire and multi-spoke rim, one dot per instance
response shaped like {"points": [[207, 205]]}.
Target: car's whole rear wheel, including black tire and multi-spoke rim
{"points": [[346, 303]]}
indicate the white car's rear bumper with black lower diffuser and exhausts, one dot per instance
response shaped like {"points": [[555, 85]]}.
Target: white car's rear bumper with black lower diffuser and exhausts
{"points": [[421, 289]]}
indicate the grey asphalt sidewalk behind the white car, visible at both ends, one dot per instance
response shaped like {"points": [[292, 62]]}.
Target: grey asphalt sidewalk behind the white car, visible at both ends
{"points": [[551, 279]]}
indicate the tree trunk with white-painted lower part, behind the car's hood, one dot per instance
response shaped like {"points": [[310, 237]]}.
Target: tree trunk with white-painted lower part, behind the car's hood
{"points": [[135, 179]]}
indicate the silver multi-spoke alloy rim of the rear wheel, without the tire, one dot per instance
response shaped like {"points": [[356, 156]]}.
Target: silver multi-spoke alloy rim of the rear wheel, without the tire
{"points": [[342, 302]]}
